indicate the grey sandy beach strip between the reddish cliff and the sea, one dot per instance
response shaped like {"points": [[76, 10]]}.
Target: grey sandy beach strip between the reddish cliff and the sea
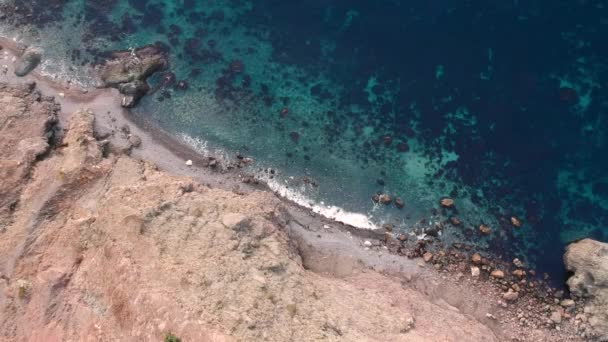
{"points": [[170, 154]]}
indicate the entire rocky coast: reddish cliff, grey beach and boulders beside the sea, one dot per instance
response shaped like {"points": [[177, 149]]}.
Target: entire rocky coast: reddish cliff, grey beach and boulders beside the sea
{"points": [[78, 172]]}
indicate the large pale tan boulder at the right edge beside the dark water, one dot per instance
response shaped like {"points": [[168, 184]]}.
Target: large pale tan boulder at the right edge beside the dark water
{"points": [[588, 260]]}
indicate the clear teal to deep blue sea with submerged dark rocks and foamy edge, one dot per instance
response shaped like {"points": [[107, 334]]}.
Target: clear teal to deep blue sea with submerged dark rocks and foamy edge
{"points": [[500, 105]]}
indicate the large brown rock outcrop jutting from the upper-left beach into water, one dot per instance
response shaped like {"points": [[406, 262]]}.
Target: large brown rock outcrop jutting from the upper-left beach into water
{"points": [[128, 71]]}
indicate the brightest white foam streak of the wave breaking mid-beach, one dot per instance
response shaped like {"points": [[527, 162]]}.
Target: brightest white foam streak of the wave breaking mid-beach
{"points": [[332, 212]]}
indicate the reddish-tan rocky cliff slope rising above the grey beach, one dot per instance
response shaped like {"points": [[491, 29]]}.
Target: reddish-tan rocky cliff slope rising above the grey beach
{"points": [[102, 247]]}
